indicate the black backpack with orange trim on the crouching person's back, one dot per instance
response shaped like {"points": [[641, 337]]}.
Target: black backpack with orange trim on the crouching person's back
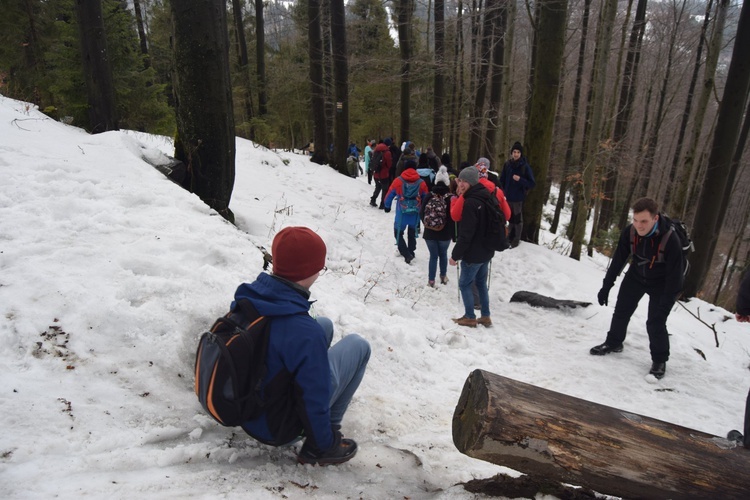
{"points": [[230, 364]]}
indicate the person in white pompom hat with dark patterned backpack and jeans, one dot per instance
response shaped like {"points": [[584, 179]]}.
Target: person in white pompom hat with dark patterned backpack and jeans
{"points": [[439, 228]]}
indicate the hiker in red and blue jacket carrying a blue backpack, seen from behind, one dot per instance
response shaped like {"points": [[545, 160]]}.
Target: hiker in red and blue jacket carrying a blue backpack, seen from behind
{"points": [[408, 190]]}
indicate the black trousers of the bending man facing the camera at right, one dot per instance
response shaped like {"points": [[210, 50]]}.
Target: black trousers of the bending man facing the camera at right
{"points": [[631, 292]]}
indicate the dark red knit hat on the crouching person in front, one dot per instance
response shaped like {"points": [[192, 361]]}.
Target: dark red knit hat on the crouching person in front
{"points": [[298, 253]]}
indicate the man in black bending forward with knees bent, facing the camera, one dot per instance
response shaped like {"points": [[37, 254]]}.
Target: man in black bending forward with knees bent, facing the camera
{"points": [[649, 273]]}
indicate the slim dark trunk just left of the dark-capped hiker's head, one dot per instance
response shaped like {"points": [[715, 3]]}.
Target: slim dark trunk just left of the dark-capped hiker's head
{"points": [[489, 147]]}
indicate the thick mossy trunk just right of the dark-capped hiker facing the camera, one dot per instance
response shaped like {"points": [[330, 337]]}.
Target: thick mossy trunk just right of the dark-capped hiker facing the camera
{"points": [[551, 21]]}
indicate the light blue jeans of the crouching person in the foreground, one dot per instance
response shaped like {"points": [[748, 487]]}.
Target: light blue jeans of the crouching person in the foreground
{"points": [[347, 360]]}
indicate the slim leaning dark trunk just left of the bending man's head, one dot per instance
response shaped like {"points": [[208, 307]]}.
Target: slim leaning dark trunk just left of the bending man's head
{"points": [[624, 115]]}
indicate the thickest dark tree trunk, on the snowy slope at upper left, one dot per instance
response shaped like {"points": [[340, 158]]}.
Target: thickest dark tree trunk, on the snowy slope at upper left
{"points": [[203, 94]]}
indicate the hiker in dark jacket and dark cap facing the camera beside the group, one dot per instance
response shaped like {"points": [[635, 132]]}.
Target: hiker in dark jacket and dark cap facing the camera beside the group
{"points": [[516, 180]]}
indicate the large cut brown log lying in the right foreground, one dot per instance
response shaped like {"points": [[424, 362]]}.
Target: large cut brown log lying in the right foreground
{"points": [[544, 433]]}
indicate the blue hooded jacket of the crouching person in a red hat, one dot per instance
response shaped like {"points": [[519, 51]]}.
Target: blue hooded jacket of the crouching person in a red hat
{"points": [[297, 387]]}
